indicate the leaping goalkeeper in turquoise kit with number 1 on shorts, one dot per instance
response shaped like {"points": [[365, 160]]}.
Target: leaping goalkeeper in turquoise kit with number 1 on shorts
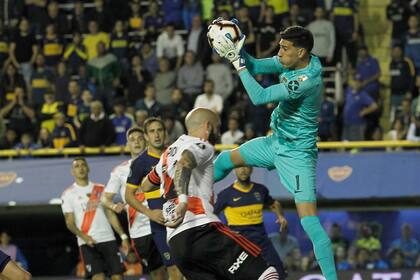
{"points": [[291, 149]]}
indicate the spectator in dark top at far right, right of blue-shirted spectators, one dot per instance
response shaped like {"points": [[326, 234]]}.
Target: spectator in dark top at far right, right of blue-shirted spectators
{"points": [[402, 74]]}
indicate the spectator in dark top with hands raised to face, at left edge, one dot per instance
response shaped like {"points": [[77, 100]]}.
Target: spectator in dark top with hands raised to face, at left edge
{"points": [[20, 116]]}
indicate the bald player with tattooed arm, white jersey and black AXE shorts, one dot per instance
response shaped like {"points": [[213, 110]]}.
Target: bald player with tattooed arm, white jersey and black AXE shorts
{"points": [[203, 248]]}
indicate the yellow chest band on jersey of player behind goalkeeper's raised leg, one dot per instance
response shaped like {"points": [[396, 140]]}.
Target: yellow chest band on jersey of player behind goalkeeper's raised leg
{"points": [[244, 215]]}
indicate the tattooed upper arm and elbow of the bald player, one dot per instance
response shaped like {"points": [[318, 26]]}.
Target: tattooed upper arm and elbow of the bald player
{"points": [[183, 172]]}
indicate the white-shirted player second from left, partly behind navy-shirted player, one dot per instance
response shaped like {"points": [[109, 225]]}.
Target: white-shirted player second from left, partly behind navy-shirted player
{"points": [[138, 223]]}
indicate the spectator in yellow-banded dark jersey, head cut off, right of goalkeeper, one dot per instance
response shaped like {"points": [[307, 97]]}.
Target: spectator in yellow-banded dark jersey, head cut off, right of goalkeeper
{"points": [[346, 23]]}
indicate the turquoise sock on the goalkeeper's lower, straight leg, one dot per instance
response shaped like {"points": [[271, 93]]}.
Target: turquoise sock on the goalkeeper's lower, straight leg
{"points": [[322, 246]]}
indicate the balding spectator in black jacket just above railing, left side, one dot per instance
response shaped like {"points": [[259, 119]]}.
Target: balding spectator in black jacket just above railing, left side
{"points": [[97, 130]]}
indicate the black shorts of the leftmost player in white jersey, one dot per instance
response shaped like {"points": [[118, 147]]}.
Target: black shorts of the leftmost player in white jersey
{"points": [[104, 257]]}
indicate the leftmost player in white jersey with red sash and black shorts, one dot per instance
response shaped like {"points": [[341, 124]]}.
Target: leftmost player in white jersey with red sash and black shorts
{"points": [[86, 218]]}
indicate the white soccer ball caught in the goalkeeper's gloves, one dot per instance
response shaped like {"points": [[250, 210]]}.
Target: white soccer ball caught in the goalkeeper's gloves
{"points": [[223, 28]]}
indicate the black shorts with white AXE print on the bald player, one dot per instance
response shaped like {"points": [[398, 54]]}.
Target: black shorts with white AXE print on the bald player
{"points": [[213, 251]]}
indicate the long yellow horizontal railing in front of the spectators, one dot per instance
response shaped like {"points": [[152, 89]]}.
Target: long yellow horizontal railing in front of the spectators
{"points": [[219, 147]]}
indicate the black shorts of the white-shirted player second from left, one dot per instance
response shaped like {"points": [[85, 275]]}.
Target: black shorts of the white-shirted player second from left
{"points": [[147, 251]]}
